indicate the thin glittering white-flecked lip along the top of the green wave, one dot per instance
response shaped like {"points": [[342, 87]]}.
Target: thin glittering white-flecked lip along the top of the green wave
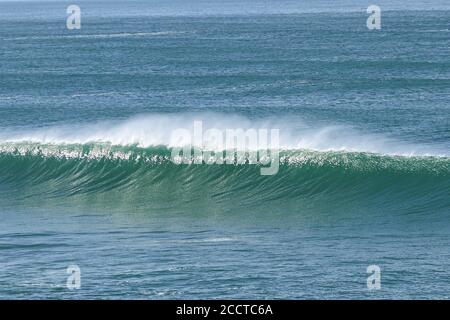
{"points": [[161, 155]]}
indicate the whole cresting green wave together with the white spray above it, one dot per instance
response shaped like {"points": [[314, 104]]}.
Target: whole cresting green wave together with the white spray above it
{"points": [[128, 164]]}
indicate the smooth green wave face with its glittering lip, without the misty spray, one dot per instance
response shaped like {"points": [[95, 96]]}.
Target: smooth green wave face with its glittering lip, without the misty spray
{"points": [[147, 178]]}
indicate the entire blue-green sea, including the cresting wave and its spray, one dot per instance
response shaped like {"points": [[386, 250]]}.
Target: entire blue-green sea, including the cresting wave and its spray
{"points": [[86, 176]]}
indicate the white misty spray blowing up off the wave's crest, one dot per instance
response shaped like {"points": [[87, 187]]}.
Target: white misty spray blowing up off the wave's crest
{"points": [[156, 129]]}
